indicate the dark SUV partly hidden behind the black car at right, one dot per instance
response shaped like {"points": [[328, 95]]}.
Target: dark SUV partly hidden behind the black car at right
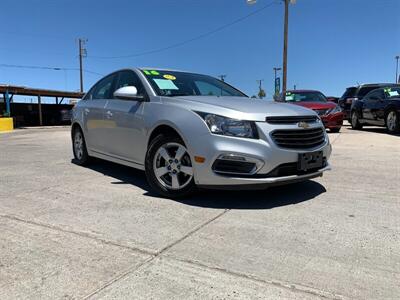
{"points": [[355, 93]]}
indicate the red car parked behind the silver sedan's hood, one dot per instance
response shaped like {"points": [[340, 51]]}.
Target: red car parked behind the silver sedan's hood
{"points": [[329, 112]]}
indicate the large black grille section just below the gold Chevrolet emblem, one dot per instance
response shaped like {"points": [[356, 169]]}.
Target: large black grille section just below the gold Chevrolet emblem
{"points": [[299, 138]]}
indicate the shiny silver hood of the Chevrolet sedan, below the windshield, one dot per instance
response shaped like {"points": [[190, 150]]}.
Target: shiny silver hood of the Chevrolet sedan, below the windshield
{"points": [[238, 107]]}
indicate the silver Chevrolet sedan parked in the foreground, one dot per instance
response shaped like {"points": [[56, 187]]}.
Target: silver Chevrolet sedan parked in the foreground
{"points": [[189, 130]]}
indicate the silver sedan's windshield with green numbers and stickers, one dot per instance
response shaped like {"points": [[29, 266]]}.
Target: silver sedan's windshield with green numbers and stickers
{"points": [[172, 83]]}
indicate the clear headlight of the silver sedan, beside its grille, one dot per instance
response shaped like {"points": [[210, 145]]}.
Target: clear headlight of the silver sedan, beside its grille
{"points": [[230, 127]]}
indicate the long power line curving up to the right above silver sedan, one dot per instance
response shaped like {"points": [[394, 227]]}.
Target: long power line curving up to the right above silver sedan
{"points": [[201, 36]]}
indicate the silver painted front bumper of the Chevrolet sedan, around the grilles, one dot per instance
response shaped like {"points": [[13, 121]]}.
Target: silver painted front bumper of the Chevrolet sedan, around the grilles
{"points": [[264, 149]]}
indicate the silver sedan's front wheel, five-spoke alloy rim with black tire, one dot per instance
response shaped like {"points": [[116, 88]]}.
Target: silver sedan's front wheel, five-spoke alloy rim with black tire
{"points": [[169, 168]]}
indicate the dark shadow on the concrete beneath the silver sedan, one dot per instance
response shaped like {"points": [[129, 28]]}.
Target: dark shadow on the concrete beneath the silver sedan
{"points": [[218, 199]]}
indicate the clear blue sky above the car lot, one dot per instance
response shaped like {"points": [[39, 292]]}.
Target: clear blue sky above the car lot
{"points": [[332, 43]]}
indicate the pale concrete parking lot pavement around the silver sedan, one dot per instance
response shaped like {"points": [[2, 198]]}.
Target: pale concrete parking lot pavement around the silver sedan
{"points": [[99, 232]]}
